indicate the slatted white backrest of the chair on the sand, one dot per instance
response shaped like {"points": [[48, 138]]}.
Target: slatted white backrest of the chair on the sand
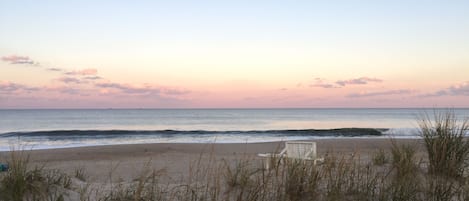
{"points": [[301, 150]]}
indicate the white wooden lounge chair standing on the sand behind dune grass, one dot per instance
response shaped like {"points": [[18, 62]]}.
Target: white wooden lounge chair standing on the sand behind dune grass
{"points": [[300, 150]]}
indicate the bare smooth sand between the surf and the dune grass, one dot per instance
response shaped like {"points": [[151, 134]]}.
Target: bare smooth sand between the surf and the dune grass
{"points": [[126, 162]]}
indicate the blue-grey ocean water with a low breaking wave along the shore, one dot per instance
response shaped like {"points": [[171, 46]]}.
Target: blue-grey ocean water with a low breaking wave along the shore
{"points": [[41, 129]]}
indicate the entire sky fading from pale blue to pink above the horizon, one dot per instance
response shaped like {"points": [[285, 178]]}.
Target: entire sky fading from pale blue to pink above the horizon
{"points": [[234, 54]]}
